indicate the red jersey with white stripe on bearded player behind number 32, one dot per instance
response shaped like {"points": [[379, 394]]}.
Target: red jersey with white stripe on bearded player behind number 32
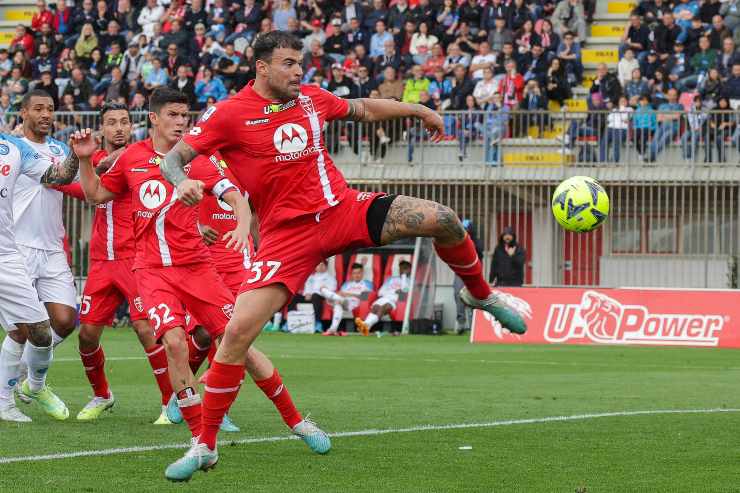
{"points": [[112, 236]]}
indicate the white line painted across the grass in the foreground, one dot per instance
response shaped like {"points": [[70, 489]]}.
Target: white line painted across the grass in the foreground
{"points": [[369, 432]]}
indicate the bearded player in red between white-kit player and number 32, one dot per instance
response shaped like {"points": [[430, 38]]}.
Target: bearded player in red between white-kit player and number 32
{"points": [[111, 279]]}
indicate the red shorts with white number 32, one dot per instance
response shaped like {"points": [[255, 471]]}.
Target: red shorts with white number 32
{"points": [[168, 292]]}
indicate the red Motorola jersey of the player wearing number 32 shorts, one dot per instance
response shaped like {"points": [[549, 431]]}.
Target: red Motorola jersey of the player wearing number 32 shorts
{"points": [[166, 230]]}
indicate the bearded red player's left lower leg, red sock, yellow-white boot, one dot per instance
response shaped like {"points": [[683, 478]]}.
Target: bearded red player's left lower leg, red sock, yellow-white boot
{"points": [[93, 361]]}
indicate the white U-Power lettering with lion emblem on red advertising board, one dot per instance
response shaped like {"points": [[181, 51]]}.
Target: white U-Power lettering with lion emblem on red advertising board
{"points": [[605, 320]]}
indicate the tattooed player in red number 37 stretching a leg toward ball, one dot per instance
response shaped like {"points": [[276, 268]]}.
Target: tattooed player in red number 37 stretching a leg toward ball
{"points": [[271, 134]]}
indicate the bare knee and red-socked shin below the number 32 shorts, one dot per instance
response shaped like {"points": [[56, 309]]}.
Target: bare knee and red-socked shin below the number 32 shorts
{"points": [[183, 381]]}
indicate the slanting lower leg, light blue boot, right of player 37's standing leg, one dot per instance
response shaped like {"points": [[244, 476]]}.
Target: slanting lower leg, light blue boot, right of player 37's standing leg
{"points": [[267, 378]]}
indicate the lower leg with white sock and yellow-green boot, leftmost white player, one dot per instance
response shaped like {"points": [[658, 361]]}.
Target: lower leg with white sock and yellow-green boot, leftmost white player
{"points": [[37, 355]]}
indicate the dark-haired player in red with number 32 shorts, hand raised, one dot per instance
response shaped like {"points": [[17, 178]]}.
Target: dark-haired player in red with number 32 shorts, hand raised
{"points": [[172, 266]]}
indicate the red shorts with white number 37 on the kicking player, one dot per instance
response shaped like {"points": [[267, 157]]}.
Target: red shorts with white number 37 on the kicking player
{"points": [[288, 254]]}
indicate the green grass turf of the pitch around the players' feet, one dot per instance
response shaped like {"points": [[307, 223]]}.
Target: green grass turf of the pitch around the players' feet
{"points": [[355, 383]]}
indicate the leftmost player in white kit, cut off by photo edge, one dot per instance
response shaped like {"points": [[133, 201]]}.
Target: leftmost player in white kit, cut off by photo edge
{"points": [[22, 314]]}
